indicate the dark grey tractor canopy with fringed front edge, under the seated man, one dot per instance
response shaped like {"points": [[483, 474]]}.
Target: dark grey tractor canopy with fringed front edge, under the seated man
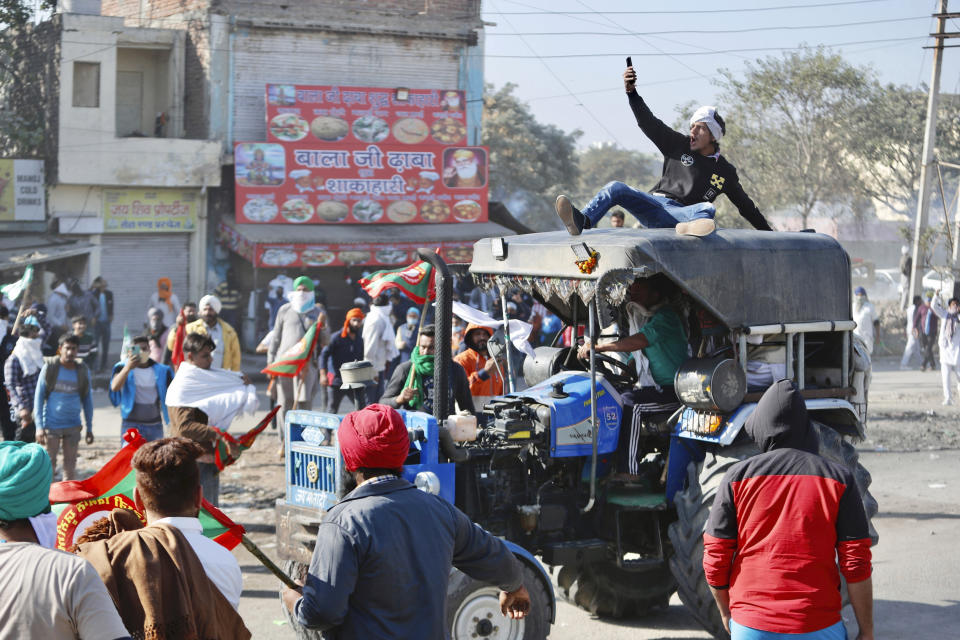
{"points": [[743, 277]]}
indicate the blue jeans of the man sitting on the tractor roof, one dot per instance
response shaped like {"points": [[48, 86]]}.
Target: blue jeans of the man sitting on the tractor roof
{"points": [[653, 211]]}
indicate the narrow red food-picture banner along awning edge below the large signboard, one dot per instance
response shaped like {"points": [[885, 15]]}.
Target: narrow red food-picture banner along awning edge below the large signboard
{"points": [[373, 254]]}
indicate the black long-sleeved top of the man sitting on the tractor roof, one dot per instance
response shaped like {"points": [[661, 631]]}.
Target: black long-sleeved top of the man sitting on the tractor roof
{"points": [[689, 177]]}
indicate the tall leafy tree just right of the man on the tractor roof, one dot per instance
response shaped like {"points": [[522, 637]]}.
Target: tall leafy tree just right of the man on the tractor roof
{"points": [[790, 122]]}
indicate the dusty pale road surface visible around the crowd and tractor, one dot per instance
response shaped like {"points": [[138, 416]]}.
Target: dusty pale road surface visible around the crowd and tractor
{"points": [[912, 450]]}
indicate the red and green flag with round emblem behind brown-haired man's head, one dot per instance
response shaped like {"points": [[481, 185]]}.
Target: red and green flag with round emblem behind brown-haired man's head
{"points": [[78, 503]]}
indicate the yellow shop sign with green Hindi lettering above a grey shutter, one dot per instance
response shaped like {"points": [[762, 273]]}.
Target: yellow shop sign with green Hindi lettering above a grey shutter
{"points": [[149, 210]]}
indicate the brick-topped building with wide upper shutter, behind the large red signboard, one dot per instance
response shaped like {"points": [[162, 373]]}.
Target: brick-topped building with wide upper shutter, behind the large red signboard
{"points": [[234, 48]]}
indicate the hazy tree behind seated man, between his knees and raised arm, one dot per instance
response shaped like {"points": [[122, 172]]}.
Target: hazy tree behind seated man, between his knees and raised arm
{"points": [[606, 162]]}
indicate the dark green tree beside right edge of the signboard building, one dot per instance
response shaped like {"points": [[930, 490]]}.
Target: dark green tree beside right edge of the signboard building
{"points": [[530, 162]]}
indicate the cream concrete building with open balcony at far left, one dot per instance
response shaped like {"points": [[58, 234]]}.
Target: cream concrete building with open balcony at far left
{"points": [[125, 190]]}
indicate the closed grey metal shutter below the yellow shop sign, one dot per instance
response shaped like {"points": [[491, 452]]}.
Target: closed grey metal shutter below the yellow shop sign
{"points": [[132, 264]]}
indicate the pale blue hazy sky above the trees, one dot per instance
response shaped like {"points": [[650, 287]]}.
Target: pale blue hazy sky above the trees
{"points": [[567, 56]]}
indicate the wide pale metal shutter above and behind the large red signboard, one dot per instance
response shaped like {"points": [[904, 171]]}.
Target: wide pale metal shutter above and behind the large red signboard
{"points": [[272, 57]]}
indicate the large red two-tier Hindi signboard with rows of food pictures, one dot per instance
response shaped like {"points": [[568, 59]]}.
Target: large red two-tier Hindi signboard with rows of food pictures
{"points": [[361, 155]]}
